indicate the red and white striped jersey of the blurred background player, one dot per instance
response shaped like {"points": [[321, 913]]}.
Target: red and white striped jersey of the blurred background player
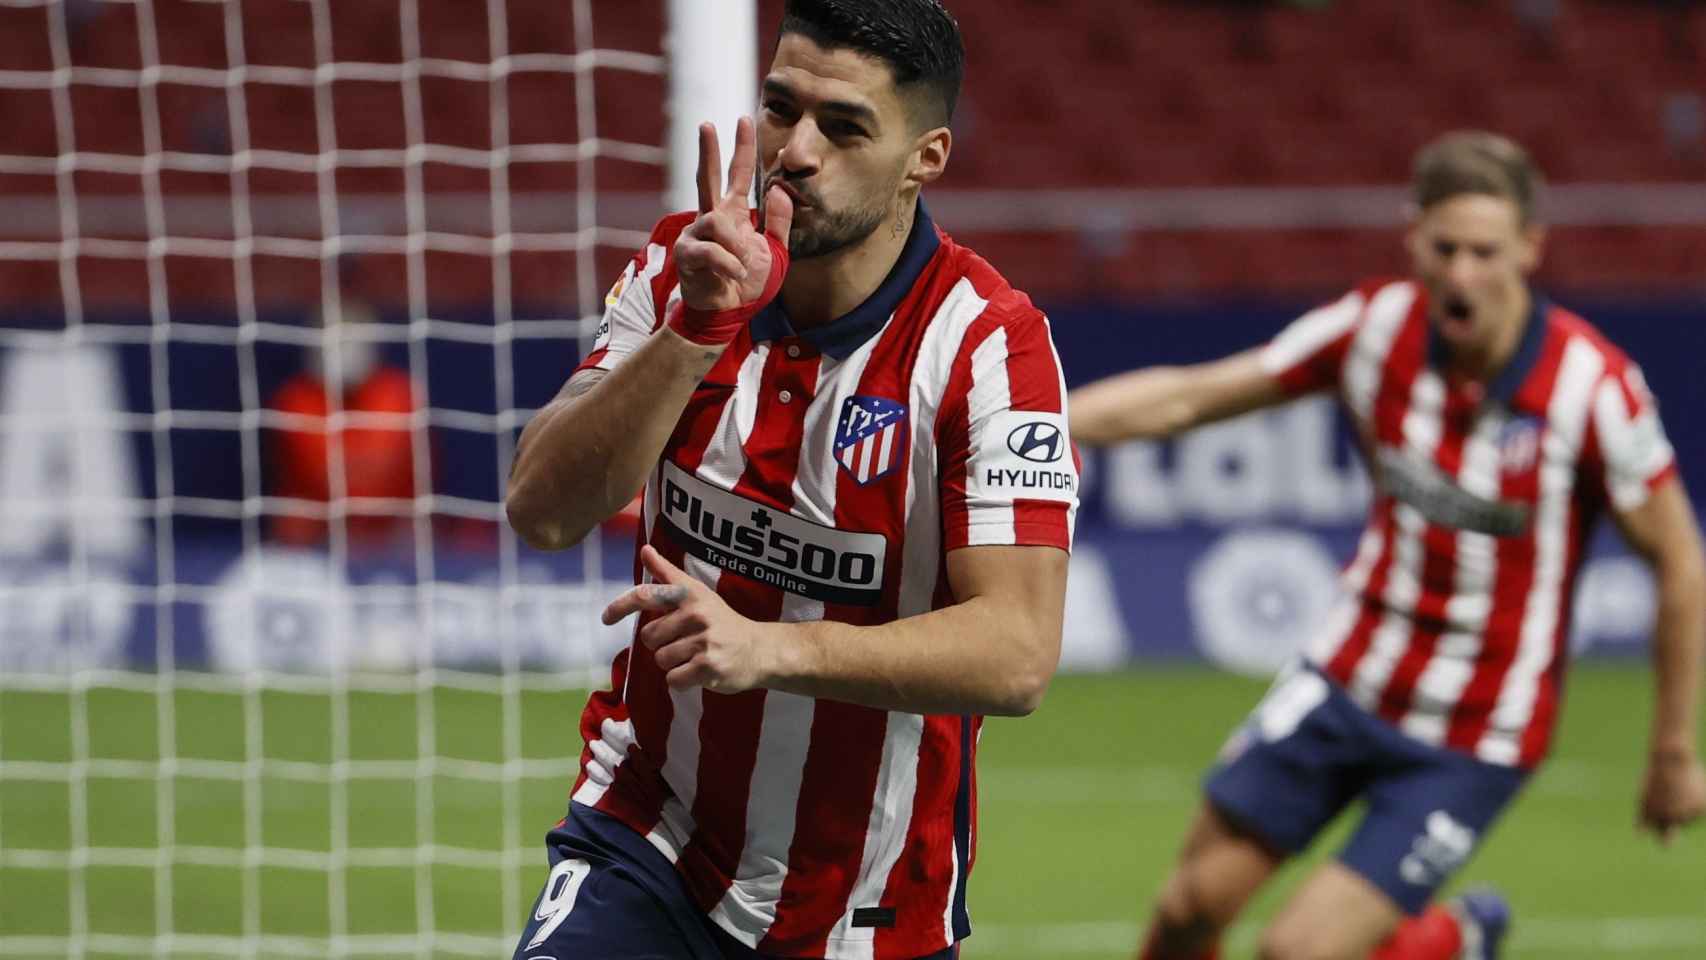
{"points": [[1458, 608]]}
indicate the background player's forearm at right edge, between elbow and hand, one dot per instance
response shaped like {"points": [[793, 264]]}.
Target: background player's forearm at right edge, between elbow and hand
{"points": [[1680, 657]]}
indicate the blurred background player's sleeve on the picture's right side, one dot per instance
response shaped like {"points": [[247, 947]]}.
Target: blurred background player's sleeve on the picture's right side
{"points": [[1633, 453]]}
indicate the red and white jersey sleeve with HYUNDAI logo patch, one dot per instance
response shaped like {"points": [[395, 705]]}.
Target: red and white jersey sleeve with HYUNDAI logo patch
{"points": [[1009, 470]]}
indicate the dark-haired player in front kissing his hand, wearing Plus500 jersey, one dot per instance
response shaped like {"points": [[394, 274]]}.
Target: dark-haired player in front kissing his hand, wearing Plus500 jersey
{"points": [[859, 500]]}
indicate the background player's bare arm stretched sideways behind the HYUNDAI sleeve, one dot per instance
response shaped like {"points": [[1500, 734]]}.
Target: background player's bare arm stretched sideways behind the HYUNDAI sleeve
{"points": [[1161, 402]]}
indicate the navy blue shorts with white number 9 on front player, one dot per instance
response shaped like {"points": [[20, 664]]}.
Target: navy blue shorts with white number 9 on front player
{"points": [[613, 894]]}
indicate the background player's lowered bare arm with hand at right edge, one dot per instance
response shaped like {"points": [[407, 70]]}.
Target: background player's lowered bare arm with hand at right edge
{"points": [[1666, 535]]}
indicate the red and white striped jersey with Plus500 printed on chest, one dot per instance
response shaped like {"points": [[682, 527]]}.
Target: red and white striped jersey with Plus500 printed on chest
{"points": [[827, 475]]}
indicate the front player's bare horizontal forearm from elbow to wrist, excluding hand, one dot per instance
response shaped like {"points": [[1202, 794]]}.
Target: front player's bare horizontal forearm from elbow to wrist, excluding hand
{"points": [[978, 657]]}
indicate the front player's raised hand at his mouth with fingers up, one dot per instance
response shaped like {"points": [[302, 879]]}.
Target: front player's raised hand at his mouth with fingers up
{"points": [[724, 262]]}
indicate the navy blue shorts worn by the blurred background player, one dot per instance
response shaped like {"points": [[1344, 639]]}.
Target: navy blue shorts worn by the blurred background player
{"points": [[1308, 751]]}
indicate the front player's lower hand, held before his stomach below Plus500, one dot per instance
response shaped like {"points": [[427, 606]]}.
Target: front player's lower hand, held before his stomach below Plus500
{"points": [[700, 642]]}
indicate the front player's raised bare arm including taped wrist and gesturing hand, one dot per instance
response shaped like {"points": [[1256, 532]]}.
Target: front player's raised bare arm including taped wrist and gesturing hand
{"points": [[588, 453]]}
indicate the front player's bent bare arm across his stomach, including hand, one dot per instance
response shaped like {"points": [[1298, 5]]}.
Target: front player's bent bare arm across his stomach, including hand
{"points": [[994, 652]]}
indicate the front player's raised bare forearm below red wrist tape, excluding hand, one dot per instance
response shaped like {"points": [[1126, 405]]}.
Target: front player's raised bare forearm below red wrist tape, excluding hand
{"points": [[584, 458]]}
